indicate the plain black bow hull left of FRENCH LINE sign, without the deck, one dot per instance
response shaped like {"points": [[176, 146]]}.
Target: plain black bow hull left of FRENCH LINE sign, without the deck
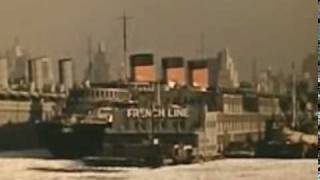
{"points": [[70, 141]]}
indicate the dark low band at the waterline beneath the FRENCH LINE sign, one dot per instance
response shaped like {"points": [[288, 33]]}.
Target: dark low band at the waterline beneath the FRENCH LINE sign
{"points": [[151, 149]]}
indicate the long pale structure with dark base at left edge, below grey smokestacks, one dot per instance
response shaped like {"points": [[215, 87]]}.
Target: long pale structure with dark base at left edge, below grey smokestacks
{"points": [[18, 110]]}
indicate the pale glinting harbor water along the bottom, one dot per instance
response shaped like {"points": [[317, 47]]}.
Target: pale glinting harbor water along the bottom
{"points": [[25, 165]]}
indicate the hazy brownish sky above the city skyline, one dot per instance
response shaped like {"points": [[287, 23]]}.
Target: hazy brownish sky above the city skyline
{"points": [[275, 32]]}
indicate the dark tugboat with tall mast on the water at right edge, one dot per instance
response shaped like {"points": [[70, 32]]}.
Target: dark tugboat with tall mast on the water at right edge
{"points": [[281, 141]]}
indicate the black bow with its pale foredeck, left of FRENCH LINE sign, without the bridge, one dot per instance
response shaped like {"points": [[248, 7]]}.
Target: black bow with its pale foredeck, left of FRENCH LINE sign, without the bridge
{"points": [[72, 136]]}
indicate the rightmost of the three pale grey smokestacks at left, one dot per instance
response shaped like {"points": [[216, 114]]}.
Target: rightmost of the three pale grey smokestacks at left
{"points": [[66, 73]]}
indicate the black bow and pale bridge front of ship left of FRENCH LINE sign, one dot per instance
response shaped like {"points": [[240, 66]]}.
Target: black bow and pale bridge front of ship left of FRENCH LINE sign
{"points": [[78, 130]]}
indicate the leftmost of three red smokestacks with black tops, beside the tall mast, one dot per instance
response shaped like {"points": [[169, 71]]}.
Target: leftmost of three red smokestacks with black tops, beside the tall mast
{"points": [[142, 68]]}
